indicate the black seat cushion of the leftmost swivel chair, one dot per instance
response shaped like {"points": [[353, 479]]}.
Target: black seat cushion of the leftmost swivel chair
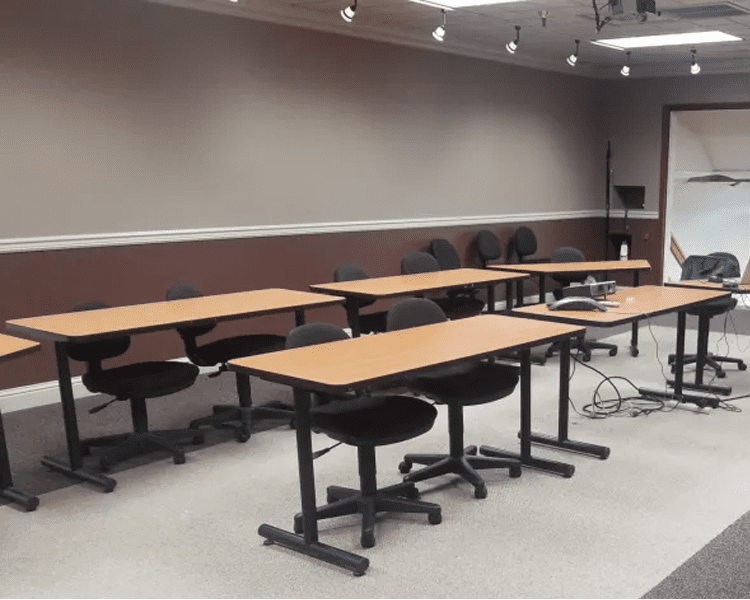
{"points": [[142, 380]]}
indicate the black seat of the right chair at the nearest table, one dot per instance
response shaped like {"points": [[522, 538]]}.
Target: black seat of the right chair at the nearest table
{"points": [[485, 382]]}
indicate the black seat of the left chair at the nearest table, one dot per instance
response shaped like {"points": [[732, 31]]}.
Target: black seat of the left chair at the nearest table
{"points": [[374, 420]]}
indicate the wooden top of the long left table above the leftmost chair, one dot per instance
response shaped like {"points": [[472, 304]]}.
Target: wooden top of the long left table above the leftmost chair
{"points": [[154, 316]]}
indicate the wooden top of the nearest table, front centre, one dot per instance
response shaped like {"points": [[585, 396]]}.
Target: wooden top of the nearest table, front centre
{"points": [[362, 361]]}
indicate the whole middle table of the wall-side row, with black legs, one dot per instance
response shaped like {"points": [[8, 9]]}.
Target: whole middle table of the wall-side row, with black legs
{"points": [[393, 286]]}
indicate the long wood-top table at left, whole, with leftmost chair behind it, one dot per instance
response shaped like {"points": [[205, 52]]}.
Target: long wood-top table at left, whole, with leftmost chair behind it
{"points": [[105, 323]]}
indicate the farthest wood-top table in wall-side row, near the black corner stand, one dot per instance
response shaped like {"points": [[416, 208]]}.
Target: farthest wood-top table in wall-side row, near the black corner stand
{"points": [[544, 269]]}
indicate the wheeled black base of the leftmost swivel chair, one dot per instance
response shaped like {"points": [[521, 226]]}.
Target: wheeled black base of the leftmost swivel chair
{"points": [[129, 445]]}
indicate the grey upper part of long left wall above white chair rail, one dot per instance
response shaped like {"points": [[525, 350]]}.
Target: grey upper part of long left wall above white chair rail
{"points": [[122, 115]]}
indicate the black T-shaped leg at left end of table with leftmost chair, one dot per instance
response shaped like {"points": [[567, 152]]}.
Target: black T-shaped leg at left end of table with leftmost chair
{"points": [[74, 466]]}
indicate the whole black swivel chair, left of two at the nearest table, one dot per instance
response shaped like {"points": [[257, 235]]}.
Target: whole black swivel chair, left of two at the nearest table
{"points": [[366, 422]]}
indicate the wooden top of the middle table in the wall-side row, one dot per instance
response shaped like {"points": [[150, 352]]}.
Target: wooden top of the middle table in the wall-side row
{"points": [[404, 285]]}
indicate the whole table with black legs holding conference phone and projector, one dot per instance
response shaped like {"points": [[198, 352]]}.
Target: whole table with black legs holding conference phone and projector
{"points": [[637, 303]]}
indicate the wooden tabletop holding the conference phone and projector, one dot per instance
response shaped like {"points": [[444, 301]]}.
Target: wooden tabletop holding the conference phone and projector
{"points": [[635, 303]]}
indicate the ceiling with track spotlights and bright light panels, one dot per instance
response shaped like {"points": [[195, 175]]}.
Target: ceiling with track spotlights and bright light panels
{"points": [[483, 31]]}
